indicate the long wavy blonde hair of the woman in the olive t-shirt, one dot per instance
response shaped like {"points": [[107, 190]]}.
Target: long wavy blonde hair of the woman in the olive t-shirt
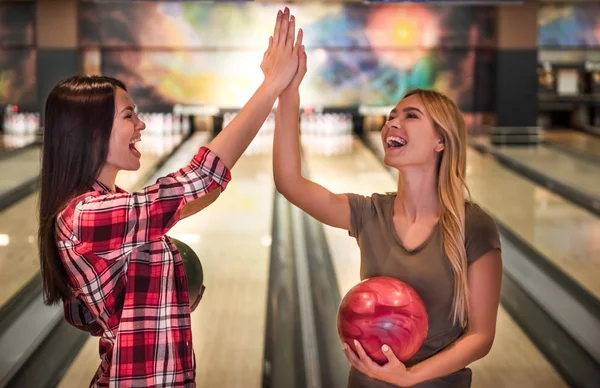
{"points": [[452, 191]]}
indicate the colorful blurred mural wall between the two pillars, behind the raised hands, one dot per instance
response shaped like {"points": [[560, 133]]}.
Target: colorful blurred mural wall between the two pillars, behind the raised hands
{"points": [[196, 53]]}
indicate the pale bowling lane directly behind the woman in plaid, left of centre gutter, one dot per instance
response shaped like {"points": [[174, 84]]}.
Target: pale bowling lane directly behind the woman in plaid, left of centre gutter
{"points": [[232, 238]]}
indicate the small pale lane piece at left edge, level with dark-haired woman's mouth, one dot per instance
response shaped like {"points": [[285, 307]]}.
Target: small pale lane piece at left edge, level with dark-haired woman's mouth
{"points": [[19, 168]]}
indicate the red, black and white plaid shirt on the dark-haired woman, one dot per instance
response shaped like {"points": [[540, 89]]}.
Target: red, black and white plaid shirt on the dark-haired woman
{"points": [[128, 279]]}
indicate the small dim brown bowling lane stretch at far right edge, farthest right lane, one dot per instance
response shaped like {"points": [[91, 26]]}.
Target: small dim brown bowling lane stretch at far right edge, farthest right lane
{"points": [[574, 142]]}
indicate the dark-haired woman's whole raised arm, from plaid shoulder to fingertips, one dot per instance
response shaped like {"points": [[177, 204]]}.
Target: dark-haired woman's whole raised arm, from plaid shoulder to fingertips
{"points": [[121, 221]]}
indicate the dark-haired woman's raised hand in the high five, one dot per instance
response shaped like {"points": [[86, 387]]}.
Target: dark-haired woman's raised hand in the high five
{"points": [[280, 61]]}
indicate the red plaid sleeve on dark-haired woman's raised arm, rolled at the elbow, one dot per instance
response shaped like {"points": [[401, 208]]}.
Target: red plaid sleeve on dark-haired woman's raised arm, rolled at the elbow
{"points": [[112, 225]]}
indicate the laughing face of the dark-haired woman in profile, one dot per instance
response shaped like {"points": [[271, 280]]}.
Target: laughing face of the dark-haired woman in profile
{"points": [[125, 133]]}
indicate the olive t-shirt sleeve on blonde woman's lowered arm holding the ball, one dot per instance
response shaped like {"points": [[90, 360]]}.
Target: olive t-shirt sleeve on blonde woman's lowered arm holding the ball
{"points": [[481, 233]]}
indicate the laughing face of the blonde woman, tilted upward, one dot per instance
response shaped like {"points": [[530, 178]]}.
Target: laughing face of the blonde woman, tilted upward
{"points": [[409, 136]]}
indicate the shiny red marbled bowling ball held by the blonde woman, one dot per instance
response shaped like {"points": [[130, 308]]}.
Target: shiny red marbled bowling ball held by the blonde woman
{"points": [[383, 310]]}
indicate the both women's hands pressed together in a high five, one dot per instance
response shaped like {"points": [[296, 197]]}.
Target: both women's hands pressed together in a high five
{"points": [[284, 62]]}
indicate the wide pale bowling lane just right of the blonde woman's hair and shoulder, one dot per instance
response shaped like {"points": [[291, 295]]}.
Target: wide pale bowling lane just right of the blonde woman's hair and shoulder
{"points": [[562, 232]]}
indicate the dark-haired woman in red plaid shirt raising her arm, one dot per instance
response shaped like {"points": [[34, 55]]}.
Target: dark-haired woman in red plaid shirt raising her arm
{"points": [[104, 252]]}
